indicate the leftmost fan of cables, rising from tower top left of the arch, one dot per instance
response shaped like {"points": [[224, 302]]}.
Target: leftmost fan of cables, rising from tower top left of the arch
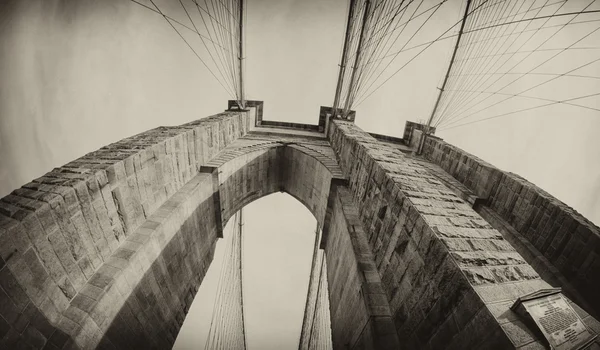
{"points": [[217, 38]]}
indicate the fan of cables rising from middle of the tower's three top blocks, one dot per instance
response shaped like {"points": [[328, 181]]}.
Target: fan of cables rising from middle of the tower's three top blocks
{"points": [[377, 33]]}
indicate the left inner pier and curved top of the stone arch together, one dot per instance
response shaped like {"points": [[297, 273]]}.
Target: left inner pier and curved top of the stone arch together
{"points": [[141, 297]]}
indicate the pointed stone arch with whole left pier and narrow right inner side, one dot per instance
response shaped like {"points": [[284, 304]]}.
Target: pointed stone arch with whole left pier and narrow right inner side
{"points": [[108, 251]]}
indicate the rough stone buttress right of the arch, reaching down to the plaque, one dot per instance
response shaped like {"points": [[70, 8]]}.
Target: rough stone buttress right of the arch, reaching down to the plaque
{"points": [[450, 277]]}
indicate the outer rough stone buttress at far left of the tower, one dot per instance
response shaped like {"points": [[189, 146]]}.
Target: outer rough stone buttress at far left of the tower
{"points": [[57, 231]]}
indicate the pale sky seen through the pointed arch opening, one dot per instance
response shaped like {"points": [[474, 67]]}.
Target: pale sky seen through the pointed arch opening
{"points": [[277, 258]]}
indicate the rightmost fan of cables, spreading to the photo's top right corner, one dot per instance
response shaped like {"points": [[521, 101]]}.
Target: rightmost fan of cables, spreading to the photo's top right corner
{"points": [[515, 56]]}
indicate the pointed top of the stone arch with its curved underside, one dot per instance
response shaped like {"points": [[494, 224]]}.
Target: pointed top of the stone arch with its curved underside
{"points": [[245, 174]]}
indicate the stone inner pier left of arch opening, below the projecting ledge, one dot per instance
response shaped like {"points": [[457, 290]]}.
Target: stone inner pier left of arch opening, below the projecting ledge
{"points": [[160, 279]]}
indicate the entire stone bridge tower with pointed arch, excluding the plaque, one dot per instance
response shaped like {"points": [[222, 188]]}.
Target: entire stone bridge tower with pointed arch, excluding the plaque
{"points": [[423, 251]]}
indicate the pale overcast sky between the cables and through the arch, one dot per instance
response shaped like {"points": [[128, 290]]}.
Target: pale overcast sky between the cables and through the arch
{"points": [[79, 74]]}
